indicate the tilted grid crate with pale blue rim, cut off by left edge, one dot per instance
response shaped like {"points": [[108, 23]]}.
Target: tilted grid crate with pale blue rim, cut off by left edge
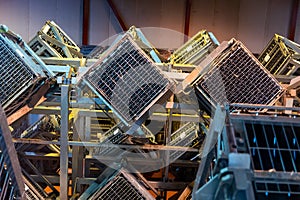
{"points": [[18, 72]]}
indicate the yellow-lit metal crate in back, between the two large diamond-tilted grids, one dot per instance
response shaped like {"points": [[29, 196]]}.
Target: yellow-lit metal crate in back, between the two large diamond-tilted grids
{"points": [[195, 50]]}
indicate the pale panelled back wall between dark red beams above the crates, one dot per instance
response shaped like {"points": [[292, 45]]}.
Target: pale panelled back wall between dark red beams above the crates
{"points": [[254, 22]]}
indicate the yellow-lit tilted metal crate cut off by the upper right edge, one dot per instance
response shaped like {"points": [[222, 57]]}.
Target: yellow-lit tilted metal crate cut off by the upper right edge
{"points": [[278, 56]]}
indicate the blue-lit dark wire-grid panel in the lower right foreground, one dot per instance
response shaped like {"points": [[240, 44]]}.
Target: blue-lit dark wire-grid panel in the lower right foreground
{"points": [[275, 154]]}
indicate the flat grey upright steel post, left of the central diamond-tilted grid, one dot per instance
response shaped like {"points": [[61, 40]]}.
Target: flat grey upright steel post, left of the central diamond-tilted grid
{"points": [[64, 142]]}
